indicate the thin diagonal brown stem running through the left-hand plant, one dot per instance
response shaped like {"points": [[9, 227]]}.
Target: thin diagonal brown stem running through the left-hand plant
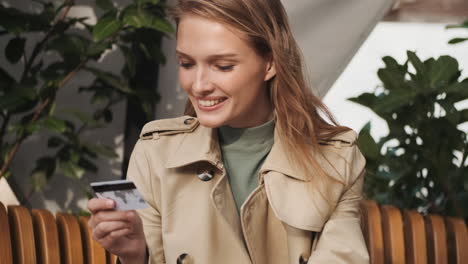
{"points": [[36, 116]]}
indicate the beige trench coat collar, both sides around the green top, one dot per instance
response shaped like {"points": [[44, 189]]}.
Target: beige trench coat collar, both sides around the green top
{"points": [[202, 145]]}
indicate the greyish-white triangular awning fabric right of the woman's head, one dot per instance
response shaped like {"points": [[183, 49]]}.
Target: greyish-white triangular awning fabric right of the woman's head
{"points": [[330, 32]]}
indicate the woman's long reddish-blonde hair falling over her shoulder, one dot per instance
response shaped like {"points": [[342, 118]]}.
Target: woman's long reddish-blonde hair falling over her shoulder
{"points": [[301, 117]]}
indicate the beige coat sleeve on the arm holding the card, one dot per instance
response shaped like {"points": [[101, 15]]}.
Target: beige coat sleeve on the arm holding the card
{"points": [[148, 184]]}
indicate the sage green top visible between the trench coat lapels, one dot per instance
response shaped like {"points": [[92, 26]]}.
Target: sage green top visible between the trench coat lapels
{"points": [[244, 150]]}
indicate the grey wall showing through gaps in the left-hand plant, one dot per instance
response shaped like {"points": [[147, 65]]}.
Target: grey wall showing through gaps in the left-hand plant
{"points": [[63, 193]]}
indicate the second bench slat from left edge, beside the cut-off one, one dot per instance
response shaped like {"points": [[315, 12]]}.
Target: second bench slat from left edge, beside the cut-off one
{"points": [[22, 234]]}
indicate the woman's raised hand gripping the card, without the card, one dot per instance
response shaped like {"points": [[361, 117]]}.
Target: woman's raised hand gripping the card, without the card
{"points": [[119, 232]]}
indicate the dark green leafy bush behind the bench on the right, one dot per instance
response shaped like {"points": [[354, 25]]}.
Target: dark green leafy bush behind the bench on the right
{"points": [[422, 163]]}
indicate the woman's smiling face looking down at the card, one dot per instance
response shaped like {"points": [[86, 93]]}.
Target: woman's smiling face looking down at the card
{"points": [[224, 77]]}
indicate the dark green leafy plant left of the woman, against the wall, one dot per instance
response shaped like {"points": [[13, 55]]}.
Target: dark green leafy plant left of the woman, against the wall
{"points": [[28, 103]]}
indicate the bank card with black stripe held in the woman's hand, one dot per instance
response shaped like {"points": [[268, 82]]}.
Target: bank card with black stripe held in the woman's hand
{"points": [[123, 192]]}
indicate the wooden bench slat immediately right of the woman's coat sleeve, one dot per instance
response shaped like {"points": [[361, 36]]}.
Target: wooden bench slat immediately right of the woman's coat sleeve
{"points": [[372, 229]]}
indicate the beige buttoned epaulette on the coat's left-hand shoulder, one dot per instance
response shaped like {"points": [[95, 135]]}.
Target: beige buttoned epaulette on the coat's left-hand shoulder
{"points": [[170, 126]]}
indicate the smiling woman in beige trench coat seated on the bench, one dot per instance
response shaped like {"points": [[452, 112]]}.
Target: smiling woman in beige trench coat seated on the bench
{"points": [[256, 171]]}
